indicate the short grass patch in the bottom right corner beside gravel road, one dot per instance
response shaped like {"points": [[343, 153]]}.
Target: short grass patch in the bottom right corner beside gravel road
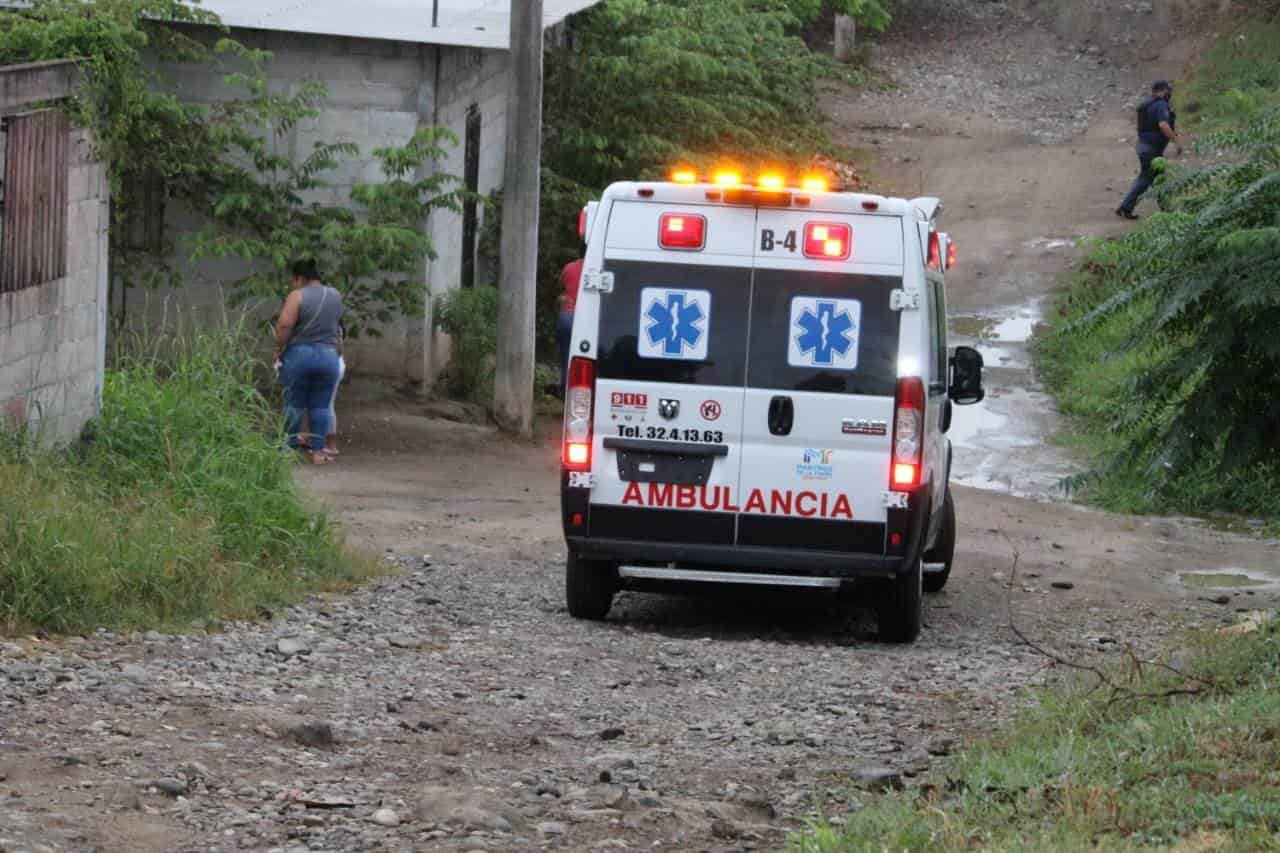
{"points": [[1190, 761]]}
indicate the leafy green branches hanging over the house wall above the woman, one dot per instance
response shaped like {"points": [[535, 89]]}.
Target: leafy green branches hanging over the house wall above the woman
{"points": [[223, 159]]}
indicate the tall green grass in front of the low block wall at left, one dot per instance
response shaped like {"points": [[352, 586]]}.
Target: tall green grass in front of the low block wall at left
{"points": [[180, 508]]}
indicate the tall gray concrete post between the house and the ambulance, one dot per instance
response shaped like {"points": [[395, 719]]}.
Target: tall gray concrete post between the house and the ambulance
{"points": [[514, 385]]}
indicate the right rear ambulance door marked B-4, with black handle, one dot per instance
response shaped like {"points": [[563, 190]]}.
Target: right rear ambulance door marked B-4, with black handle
{"points": [[822, 372]]}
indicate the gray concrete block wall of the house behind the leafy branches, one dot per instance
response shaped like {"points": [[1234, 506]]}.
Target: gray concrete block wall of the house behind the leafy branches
{"points": [[381, 93]]}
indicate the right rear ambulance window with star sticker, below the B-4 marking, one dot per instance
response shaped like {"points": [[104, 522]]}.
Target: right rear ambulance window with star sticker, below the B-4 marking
{"points": [[824, 332]]}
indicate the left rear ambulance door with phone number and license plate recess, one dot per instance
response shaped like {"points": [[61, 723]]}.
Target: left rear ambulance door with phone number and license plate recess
{"points": [[671, 366]]}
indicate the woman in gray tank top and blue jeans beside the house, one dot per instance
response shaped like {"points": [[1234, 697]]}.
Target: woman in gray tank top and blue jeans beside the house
{"points": [[309, 350]]}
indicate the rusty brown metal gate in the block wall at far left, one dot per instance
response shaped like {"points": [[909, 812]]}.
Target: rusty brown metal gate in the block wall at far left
{"points": [[34, 209]]}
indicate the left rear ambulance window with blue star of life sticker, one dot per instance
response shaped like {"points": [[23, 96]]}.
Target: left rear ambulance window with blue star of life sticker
{"points": [[675, 323]]}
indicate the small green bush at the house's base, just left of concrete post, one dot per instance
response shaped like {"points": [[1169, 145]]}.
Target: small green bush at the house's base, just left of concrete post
{"points": [[470, 317]]}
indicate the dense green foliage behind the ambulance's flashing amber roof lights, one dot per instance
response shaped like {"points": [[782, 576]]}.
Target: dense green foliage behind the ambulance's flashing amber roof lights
{"points": [[644, 85]]}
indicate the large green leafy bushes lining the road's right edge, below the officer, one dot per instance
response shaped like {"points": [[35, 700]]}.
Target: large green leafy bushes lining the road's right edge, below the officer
{"points": [[1165, 349]]}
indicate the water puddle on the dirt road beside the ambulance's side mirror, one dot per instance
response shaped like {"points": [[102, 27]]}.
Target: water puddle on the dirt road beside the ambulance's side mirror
{"points": [[1004, 444]]}
